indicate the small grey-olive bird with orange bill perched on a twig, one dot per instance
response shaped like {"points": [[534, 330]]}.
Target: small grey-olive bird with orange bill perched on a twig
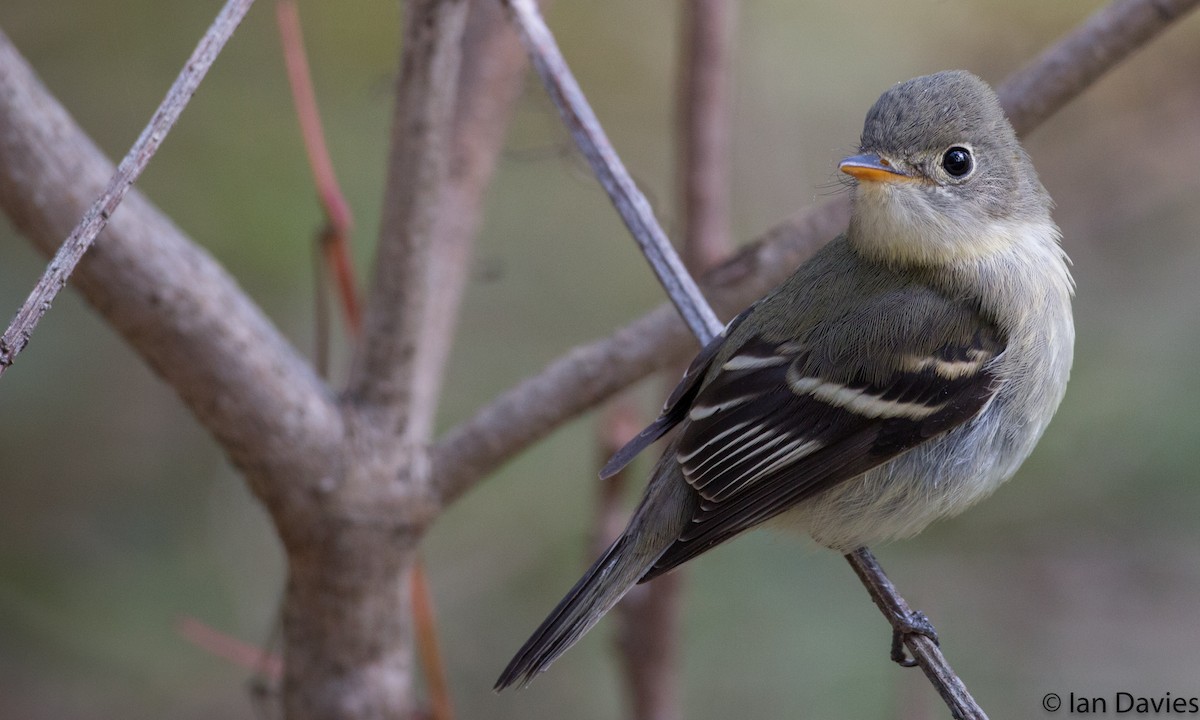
{"points": [[898, 377]]}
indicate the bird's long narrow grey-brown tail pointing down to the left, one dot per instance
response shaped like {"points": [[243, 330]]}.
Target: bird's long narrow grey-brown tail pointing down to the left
{"points": [[655, 527]]}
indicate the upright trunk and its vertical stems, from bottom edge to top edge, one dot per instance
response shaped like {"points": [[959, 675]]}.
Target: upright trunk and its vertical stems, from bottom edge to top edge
{"points": [[347, 607]]}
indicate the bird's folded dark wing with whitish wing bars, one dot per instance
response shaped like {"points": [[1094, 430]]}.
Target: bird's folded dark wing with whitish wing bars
{"points": [[778, 424]]}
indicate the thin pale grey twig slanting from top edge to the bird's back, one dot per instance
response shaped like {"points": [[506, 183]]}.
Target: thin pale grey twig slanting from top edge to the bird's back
{"points": [[629, 201]]}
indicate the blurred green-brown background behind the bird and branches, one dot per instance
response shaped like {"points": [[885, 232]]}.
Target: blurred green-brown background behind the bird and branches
{"points": [[119, 517]]}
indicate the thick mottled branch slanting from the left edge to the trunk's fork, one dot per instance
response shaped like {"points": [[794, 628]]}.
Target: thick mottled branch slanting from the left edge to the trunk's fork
{"points": [[169, 298]]}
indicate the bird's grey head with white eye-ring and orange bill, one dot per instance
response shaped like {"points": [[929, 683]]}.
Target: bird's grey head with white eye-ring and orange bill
{"points": [[941, 176]]}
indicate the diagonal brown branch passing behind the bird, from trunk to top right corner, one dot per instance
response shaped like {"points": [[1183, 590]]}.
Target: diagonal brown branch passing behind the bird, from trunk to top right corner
{"points": [[573, 385]]}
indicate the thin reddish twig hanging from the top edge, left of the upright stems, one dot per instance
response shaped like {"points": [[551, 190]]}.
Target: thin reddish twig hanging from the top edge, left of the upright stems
{"points": [[334, 238]]}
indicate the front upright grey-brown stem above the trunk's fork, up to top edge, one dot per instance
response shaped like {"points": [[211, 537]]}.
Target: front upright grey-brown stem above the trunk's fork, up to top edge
{"points": [[385, 376]]}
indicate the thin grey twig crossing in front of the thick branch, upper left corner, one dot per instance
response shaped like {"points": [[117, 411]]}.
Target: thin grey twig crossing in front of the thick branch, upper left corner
{"points": [[17, 337]]}
